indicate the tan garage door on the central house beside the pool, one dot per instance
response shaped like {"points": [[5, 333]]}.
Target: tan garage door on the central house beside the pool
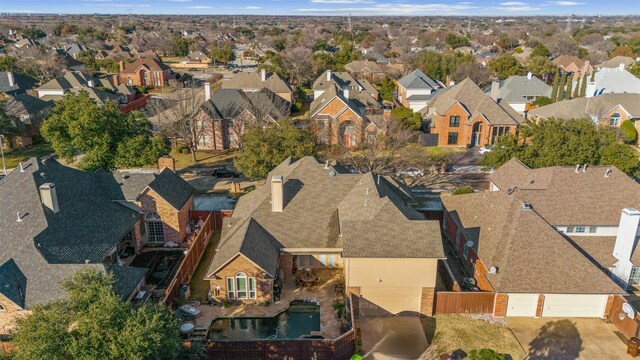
{"points": [[395, 301]]}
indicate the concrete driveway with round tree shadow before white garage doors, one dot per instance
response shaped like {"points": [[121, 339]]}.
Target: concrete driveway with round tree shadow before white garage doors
{"points": [[568, 338]]}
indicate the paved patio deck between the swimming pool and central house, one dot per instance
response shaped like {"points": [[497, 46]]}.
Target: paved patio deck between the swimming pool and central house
{"points": [[324, 292]]}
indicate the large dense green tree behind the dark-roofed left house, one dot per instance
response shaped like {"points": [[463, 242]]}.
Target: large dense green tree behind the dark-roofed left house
{"points": [[104, 136]]}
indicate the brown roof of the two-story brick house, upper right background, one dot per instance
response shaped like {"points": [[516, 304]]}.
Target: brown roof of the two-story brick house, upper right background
{"points": [[476, 102]]}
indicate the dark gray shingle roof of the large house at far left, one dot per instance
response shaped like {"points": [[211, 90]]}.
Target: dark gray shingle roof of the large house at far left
{"points": [[92, 219]]}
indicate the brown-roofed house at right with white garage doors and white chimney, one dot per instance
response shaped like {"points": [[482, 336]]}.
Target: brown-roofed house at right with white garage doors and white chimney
{"points": [[549, 242]]}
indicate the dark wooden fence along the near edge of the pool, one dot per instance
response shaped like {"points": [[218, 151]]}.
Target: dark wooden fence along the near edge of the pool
{"points": [[341, 348]]}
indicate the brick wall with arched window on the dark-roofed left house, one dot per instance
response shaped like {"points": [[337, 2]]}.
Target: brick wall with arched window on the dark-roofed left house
{"points": [[175, 221]]}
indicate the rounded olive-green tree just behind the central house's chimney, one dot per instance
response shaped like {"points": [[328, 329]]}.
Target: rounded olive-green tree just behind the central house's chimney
{"points": [[264, 148]]}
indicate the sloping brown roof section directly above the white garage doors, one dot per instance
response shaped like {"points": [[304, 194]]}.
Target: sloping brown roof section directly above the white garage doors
{"points": [[530, 255]]}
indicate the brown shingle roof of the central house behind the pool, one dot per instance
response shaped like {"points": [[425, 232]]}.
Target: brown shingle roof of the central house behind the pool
{"points": [[372, 213]]}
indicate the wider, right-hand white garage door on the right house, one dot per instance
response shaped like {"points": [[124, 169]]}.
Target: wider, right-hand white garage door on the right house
{"points": [[574, 305]]}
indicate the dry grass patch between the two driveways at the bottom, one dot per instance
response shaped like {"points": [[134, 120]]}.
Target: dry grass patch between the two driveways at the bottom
{"points": [[454, 332]]}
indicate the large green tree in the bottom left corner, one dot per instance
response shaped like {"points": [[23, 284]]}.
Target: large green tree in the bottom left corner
{"points": [[94, 323]]}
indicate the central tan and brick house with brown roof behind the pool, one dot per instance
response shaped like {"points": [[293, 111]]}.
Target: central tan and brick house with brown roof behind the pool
{"points": [[318, 216]]}
